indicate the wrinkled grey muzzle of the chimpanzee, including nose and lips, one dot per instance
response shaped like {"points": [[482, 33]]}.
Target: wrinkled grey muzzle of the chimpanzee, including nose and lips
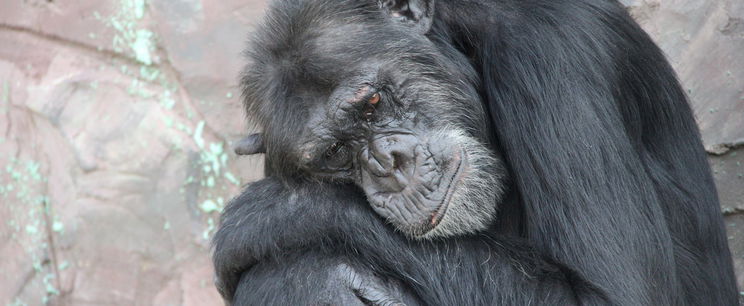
{"points": [[412, 185]]}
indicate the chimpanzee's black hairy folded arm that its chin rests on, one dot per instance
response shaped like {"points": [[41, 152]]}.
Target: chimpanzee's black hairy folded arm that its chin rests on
{"points": [[269, 225]]}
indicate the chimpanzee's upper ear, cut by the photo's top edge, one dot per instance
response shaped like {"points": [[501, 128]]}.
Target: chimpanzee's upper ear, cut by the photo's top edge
{"points": [[416, 13]]}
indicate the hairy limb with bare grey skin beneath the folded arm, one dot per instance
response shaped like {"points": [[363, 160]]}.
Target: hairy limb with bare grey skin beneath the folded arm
{"points": [[316, 278]]}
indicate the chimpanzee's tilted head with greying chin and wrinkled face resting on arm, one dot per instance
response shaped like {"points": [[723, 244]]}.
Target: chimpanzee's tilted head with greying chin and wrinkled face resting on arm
{"points": [[355, 91]]}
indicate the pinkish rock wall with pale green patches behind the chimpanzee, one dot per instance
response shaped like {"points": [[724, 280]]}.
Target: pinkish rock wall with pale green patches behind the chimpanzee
{"points": [[116, 119]]}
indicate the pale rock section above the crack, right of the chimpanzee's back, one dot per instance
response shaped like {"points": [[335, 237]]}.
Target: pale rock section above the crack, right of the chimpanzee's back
{"points": [[704, 41]]}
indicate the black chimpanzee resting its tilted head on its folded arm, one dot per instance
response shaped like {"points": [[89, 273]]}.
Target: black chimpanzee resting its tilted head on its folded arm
{"points": [[470, 152]]}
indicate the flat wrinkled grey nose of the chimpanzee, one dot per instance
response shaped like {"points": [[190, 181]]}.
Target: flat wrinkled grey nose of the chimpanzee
{"points": [[389, 153]]}
